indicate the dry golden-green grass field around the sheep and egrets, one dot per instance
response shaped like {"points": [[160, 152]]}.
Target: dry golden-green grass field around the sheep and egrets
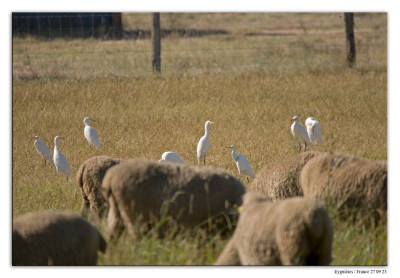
{"points": [[250, 95]]}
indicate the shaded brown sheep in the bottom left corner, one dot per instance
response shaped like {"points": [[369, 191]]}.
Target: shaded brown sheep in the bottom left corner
{"points": [[55, 238]]}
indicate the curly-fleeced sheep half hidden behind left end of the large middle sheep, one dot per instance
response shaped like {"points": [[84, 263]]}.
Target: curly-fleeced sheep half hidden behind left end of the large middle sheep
{"points": [[89, 177]]}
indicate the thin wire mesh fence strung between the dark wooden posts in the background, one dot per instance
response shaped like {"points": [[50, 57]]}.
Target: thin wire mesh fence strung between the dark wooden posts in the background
{"points": [[96, 45]]}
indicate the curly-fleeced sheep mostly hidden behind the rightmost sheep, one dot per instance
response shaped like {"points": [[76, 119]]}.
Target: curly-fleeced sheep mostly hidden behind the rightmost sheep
{"points": [[279, 180]]}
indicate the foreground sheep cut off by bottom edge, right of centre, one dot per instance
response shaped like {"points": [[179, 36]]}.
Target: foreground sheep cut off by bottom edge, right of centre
{"points": [[294, 231]]}
